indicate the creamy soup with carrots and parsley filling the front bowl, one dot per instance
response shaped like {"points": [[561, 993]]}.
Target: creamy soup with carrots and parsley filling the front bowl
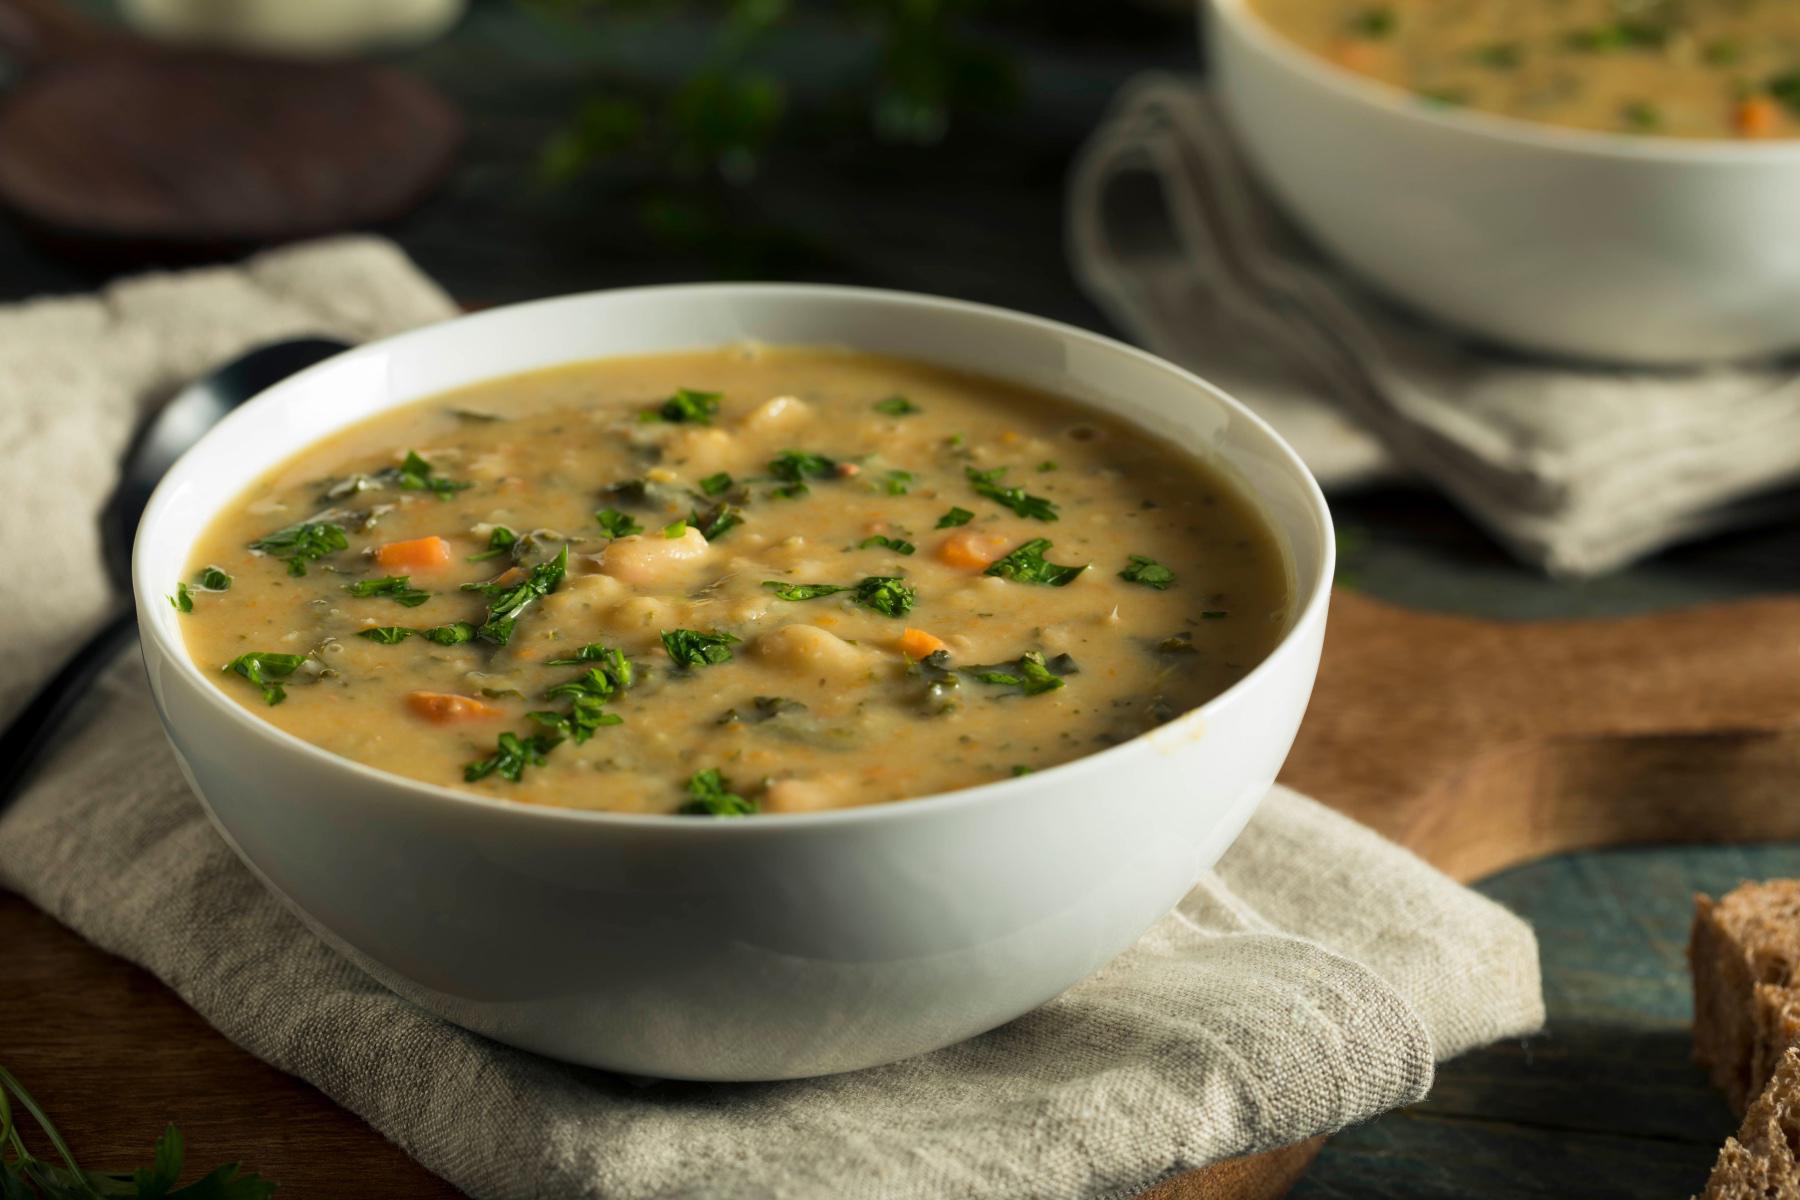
{"points": [[744, 580]]}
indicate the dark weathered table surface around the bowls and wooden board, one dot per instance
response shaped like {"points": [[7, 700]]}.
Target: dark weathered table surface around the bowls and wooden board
{"points": [[1606, 1102]]}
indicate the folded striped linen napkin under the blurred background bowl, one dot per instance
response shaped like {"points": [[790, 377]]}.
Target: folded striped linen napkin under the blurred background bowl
{"points": [[1574, 469]]}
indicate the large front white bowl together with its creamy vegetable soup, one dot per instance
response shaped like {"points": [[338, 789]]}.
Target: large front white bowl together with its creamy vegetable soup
{"points": [[733, 683]]}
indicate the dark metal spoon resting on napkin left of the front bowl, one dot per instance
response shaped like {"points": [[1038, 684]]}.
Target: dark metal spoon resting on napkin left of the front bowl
{"points": [[159, 443]]}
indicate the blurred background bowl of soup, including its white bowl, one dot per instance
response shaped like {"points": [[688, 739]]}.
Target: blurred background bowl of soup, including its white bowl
{"points": [[1570, 177]]}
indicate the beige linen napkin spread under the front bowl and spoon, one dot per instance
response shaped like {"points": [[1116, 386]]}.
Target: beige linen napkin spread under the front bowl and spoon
{"points": [[1306, 985]]}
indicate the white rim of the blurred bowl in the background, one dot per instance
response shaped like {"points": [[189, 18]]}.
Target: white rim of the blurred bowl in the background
{"points": [[1516, 132]]}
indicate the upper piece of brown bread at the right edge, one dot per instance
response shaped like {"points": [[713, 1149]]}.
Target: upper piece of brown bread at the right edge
{"points": [[1745, 953]]}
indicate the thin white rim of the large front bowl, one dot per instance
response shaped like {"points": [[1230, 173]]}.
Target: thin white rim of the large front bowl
{"points": [[919, 809]]}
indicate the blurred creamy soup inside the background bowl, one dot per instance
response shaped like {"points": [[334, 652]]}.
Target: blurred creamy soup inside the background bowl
{"points": [[1714, 69]]}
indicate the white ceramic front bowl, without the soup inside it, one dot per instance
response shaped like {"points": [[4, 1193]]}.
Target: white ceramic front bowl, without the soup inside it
{"points": [[735, 949]]}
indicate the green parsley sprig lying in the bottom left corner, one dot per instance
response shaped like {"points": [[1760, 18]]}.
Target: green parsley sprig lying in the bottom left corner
{"points": [[26, 1176]]}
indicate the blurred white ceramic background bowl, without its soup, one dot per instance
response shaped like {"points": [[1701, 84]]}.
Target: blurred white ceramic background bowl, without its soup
{"points": [[1623, 249]]}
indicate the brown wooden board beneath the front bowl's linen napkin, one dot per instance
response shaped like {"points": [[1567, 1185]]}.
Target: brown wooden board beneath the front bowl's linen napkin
{"points": [[1479, 744]]}
